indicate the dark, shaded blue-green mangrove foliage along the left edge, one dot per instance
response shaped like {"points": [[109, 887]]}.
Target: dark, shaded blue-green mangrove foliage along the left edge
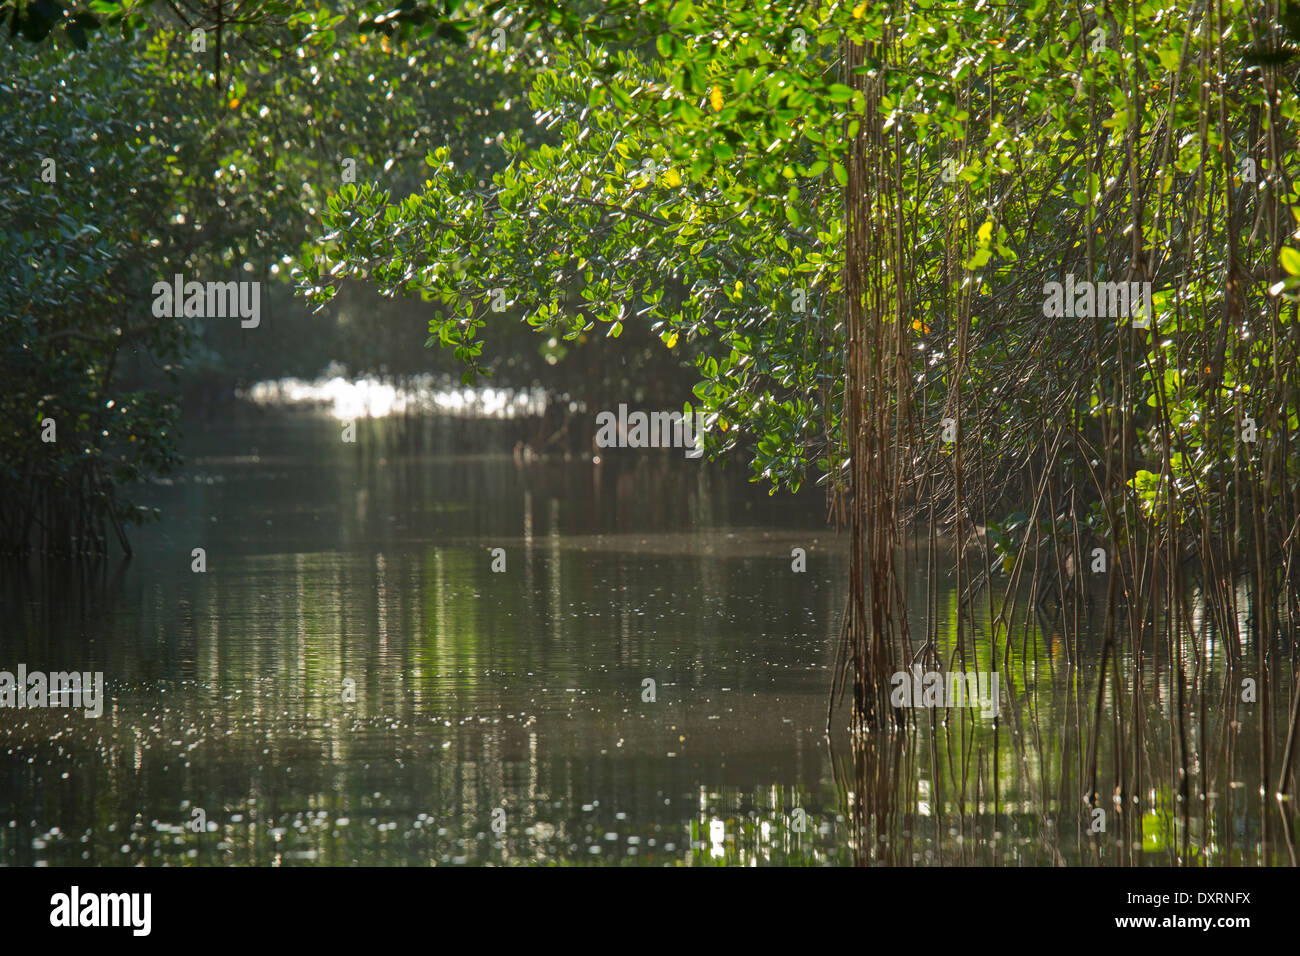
{"points": [[76, 226]]}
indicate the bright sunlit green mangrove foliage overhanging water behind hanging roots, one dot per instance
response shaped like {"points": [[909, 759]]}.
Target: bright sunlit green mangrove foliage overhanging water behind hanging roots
{"points": [[697, 185]]}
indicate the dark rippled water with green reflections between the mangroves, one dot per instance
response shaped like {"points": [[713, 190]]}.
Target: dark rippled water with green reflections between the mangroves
{"points": [[350, 682]]}
